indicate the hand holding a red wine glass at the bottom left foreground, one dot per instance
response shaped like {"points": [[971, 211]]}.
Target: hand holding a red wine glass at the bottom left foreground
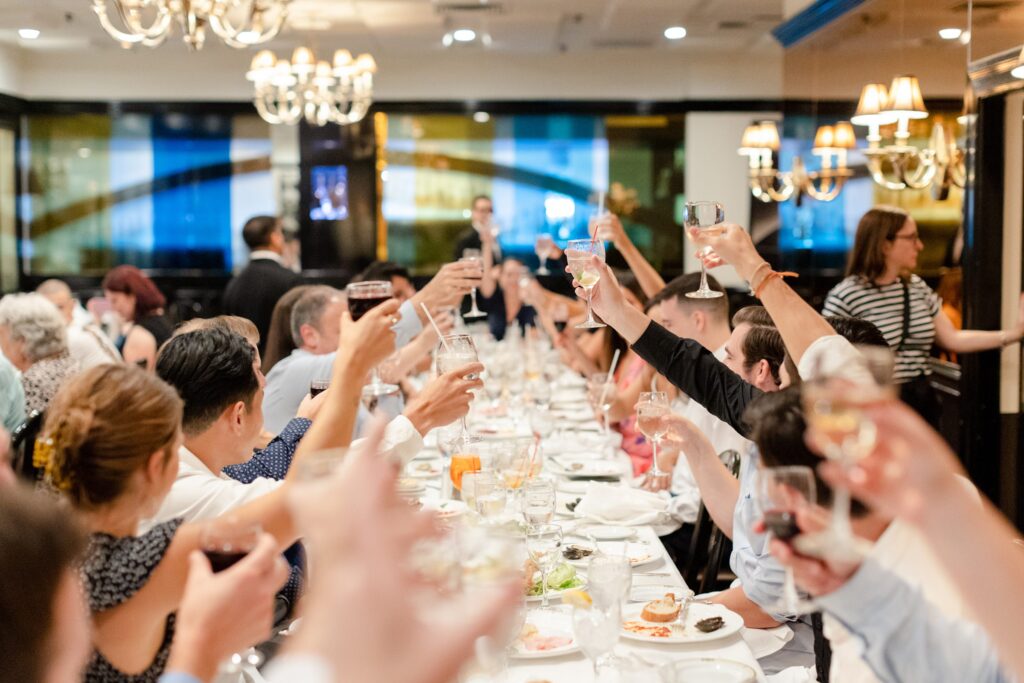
{"points": [[226, 613]]}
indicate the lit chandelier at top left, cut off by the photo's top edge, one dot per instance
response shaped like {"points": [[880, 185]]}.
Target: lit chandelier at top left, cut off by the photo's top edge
{"points": [[239, 23]]}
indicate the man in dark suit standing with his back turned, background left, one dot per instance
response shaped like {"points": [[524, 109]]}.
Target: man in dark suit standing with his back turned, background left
{"points": [[253, 293]]}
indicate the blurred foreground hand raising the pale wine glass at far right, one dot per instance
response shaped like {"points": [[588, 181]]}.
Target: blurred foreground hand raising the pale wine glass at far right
{"points": [[911, 469]]}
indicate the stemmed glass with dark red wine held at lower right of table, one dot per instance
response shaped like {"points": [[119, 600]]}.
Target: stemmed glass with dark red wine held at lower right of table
{"points": [[782, 492]]}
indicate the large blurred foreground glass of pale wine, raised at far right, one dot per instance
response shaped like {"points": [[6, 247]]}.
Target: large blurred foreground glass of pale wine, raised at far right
{"points": [[835, 399]]}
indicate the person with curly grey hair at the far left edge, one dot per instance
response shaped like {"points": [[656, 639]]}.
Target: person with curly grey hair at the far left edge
{"points": [[33, 336]]}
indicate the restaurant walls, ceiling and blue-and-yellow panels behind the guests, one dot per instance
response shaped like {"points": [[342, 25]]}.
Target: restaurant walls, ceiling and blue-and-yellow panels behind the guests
{"points": [[157, 156]]}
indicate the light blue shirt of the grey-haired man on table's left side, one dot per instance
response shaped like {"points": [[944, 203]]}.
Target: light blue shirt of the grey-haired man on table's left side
{"points": [[288, 382]]}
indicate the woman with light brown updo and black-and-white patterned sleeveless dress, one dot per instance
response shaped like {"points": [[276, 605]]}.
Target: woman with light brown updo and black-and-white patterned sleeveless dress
{"points": [[111, 447]]}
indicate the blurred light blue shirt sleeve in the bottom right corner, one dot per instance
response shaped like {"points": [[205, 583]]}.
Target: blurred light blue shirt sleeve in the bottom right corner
{"points": [[906, 638]]}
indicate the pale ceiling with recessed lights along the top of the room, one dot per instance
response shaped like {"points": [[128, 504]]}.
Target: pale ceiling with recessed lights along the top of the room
{"points": [[403, 27]]}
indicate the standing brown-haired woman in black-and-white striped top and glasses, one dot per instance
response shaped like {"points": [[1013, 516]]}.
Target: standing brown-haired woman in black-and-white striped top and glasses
{"points": [[880, 287]]}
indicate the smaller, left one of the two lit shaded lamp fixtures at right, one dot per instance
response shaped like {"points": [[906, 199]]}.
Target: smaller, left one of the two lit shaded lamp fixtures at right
{"points": [[761, 142]]}
